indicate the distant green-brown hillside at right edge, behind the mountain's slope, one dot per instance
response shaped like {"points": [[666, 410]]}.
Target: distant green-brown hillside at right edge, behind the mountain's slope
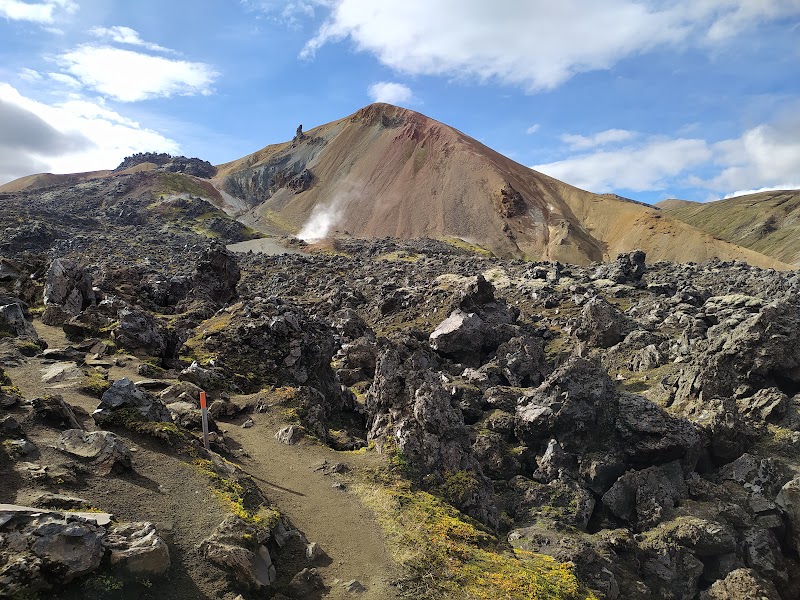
{"points": [[767, 222]]}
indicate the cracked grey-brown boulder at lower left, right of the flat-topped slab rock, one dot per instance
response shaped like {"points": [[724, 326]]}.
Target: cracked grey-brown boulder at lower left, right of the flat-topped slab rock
{"points": [[136, 549]]}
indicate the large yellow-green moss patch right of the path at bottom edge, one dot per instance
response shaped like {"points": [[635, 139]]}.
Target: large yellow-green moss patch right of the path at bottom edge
{"points": [[450, 556]]}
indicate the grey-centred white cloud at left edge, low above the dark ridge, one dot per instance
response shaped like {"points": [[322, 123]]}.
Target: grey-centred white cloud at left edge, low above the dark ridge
{"points": [[76, 135]]}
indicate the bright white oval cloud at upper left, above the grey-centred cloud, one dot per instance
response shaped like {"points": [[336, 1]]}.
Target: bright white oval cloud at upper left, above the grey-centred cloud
{"points": [[132, 76]]}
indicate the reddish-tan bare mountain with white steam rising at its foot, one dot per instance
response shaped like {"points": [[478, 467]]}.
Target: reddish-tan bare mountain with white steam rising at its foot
{"points": [[386, 171]]}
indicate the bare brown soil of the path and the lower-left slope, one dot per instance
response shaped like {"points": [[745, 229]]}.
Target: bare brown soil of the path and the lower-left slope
{"points": [[166, 489]]}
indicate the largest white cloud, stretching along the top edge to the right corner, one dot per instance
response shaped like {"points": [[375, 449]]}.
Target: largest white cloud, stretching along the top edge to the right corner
{"points": [[535, 44]]}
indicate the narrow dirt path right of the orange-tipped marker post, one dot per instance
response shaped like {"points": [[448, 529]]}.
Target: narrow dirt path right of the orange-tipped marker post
{"points": [[334, 518]]}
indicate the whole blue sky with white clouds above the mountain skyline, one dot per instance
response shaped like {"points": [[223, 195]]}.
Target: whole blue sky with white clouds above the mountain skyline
{"points": [[696, 99]]}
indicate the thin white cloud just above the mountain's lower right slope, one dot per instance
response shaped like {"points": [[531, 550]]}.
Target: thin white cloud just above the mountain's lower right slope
{"points": [[648, 166]]}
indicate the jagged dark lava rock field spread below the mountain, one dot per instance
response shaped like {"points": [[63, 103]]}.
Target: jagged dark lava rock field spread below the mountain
{"points": [[640, 420]]}
